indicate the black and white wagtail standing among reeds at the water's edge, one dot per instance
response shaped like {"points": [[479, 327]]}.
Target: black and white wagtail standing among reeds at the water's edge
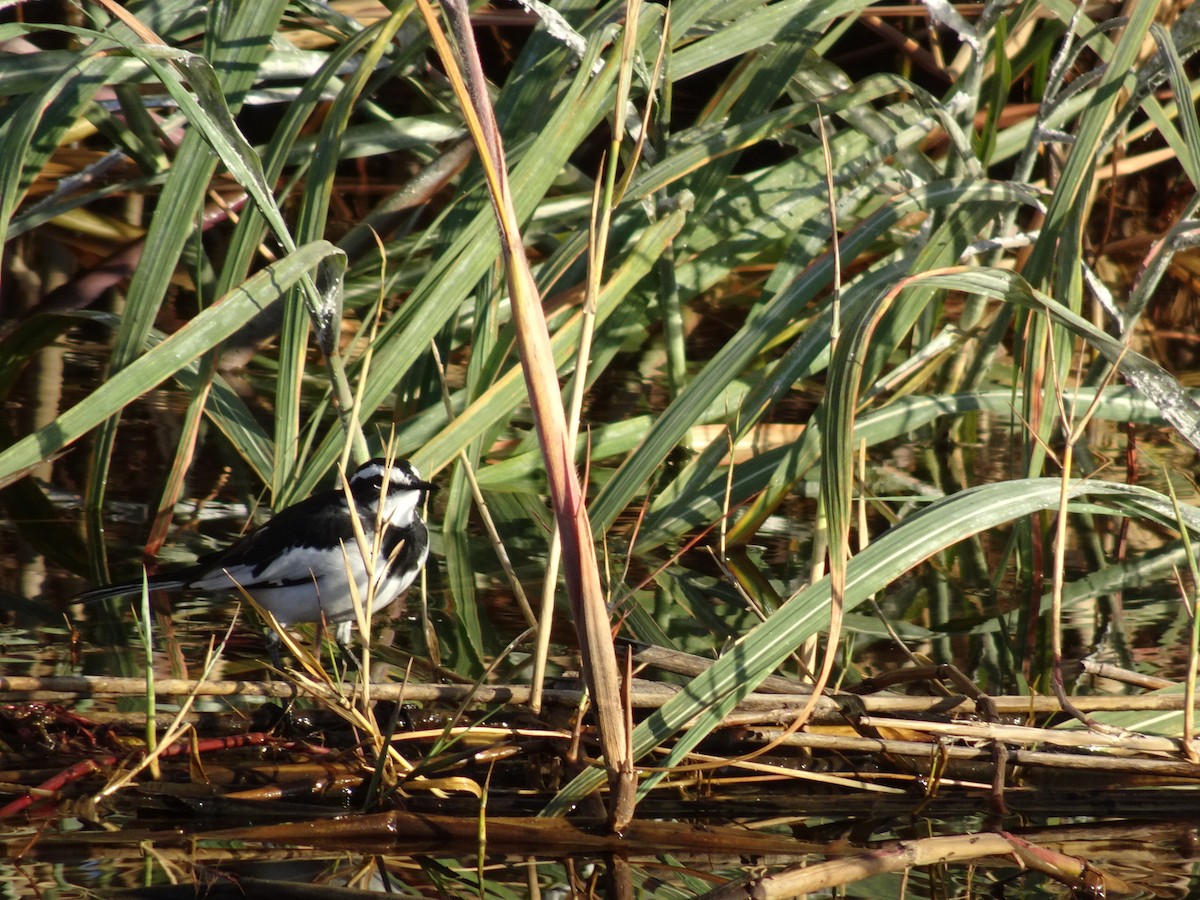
{"points": [[299, 565]]}
